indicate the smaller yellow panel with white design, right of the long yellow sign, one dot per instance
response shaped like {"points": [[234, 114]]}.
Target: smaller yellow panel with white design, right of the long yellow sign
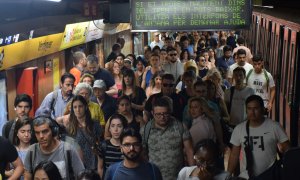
{"points": [[74, 34]]}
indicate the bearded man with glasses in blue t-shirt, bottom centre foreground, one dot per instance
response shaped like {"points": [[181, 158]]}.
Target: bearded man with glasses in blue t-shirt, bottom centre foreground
{"points": [[132, 167]]}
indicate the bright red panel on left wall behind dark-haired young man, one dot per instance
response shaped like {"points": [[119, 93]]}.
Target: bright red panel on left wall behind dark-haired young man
{"points": [[27, 83]]}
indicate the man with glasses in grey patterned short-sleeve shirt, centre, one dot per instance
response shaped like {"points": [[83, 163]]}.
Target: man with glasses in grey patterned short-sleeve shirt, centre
{"points": [[166, 139]]}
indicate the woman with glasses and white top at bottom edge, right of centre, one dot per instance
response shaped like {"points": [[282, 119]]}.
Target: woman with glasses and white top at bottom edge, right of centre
{"points": [[206, 157]]}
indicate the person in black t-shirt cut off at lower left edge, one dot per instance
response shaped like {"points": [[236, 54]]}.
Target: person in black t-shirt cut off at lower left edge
{"points": [[9, 154]]}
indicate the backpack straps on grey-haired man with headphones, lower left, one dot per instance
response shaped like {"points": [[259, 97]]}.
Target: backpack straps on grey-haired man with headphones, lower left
{"points": [[67, 157]]}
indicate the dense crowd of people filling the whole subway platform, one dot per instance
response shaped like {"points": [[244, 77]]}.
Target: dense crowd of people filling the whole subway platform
{"points": [[161, 115]]}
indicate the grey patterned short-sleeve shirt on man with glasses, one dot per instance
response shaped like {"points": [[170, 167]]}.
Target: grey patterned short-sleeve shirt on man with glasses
{"points": [[165, 147]]}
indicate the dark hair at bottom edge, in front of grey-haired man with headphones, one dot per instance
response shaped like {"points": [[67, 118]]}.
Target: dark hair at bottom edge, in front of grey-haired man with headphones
{"points": [[50, 168]]}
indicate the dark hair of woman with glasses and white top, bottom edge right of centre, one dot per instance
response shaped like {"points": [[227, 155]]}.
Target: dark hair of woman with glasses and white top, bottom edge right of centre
{"points": [[210, 145]]}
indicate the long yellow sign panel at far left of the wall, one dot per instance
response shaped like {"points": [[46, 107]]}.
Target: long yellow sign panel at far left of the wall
{"points": [[24, 51]]}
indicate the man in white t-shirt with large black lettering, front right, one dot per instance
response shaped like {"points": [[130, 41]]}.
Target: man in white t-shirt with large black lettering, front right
{"points": [[262, 138]]}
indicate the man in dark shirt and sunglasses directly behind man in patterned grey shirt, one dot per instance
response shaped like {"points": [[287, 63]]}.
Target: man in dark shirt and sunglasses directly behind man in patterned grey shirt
{"points": [[167, 89]]}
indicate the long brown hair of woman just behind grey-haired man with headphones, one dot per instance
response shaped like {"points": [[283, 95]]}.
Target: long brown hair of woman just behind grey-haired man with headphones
{"points": [[73, 125]]}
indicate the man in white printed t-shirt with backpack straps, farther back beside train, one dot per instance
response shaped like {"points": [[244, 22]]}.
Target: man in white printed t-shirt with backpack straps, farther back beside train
{"points": [[261, 81]]}
